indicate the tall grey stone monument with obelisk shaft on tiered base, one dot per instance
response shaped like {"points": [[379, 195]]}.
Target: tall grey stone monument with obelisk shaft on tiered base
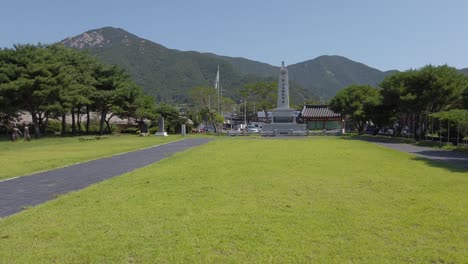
{"points": [[283, 118]]}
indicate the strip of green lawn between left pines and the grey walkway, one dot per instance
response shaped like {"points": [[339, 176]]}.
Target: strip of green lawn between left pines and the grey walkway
{"points": [[21, 158]]}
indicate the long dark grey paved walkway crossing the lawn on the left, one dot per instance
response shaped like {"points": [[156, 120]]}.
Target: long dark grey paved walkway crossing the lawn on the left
{"points": [[15, 194]]}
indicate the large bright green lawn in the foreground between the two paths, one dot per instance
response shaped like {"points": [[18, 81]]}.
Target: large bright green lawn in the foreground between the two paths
{"points": [[320, 200]]}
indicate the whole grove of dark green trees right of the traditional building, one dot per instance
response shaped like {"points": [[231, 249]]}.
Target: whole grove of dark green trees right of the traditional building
{"points": [[404, 96]]}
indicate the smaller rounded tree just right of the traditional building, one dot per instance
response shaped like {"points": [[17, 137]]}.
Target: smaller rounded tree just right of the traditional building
{"points": [[357, 101]]}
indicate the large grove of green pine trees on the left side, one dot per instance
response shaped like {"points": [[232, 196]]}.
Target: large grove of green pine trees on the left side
{"points": [[52, 81]]}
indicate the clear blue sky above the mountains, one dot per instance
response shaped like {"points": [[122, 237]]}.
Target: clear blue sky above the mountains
{"points": [[383, 34]]}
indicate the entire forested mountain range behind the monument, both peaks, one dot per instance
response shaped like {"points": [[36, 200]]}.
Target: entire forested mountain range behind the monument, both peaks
{"points": [[169, 74]]}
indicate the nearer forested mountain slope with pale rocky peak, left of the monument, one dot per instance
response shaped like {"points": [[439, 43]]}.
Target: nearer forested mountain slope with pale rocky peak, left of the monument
{"points": [[165, 73]]}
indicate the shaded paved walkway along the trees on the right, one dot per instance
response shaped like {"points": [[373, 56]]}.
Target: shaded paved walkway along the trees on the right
{"points": [[457, 159]]}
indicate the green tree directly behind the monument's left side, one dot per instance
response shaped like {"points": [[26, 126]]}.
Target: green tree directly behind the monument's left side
{"points": [[264, 94]]}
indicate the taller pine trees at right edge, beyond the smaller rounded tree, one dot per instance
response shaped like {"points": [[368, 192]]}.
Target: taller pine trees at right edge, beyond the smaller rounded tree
{"points": [[426, 90]]}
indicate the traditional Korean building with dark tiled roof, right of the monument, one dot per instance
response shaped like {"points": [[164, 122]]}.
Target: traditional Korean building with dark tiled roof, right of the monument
{"points": [[319, 117]]}
